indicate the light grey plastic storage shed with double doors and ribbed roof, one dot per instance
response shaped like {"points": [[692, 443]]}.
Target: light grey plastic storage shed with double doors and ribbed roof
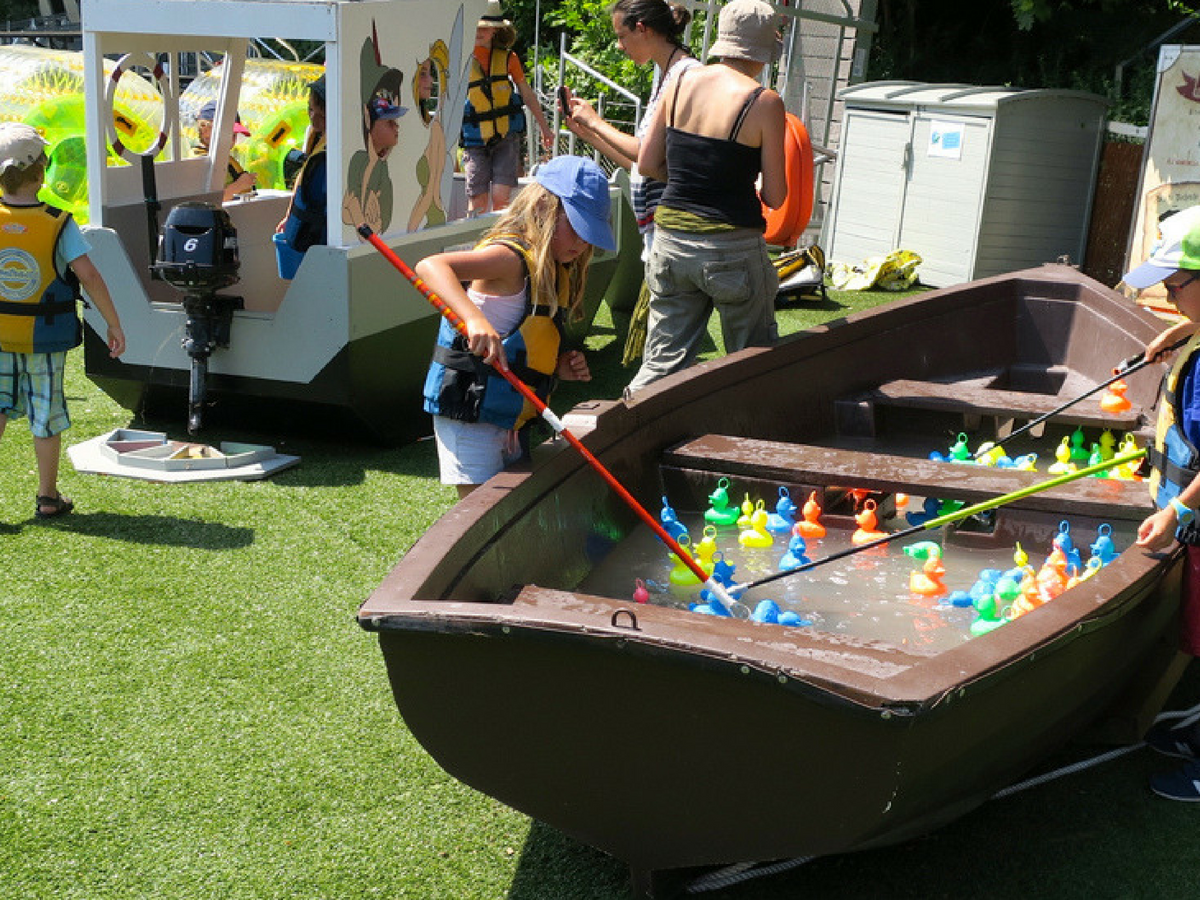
{"points": [[977, 181]]}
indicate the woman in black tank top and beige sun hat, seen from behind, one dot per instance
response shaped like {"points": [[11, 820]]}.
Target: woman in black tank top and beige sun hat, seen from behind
{"points": [[715, 133]]}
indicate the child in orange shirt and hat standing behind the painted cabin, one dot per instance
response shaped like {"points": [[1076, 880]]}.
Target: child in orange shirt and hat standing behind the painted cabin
{"points": [[494, 116]]}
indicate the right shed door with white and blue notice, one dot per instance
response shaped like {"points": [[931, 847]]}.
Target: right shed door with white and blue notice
{"points": [[945, 196]]}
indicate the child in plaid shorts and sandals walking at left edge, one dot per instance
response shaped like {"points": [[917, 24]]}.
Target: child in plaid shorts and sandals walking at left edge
{"points": [[39, 323]]}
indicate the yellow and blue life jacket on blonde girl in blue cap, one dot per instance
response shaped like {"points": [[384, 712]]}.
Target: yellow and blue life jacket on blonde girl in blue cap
{"points": [[460, 386]]}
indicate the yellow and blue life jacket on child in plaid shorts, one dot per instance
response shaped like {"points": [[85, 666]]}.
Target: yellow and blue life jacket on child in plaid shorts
{"points": [[38, 303]]}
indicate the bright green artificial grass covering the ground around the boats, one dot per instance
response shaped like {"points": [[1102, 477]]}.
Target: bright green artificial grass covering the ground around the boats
{"points": [[189, 710]]}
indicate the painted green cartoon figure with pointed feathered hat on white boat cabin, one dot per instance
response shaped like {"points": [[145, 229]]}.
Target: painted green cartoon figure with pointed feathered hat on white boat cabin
{"points": [[369, 190]]}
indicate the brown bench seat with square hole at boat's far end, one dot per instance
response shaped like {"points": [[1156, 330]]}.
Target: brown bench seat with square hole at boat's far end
{"points": [[1007, 407]]}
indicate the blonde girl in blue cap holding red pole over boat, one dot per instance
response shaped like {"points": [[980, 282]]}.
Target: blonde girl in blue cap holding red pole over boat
{"points": [[524, 277]]}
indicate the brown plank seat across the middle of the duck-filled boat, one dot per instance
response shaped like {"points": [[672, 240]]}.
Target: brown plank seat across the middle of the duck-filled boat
{"points": [[691, 471]]}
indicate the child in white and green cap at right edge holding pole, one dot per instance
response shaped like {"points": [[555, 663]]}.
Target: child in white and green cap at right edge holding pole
{"points": [[1175, 466]]}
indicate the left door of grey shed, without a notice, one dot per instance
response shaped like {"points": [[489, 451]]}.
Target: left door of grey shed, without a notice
{"points": [[872, 185]]}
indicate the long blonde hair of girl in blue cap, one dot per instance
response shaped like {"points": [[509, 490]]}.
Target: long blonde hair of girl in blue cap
{"points": [[533, 217]]}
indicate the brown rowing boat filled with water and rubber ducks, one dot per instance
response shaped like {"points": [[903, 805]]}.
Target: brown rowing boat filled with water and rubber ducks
{"points": [[536, 694]]}
